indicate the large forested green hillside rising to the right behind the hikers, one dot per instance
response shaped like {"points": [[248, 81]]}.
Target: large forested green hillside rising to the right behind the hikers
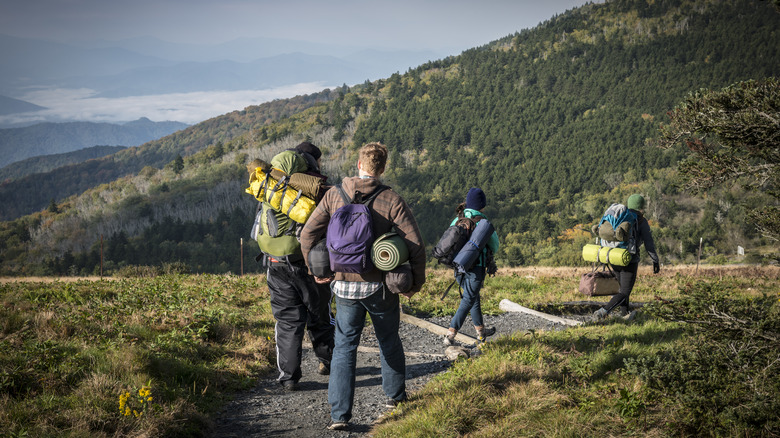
{"points": [[554, 123]]}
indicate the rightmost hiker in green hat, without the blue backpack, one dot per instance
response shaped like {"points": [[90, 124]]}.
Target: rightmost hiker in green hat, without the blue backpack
{"points": [[626, 275]]}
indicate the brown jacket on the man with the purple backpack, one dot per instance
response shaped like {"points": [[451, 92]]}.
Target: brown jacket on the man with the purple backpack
{"points": [[389, 212]]}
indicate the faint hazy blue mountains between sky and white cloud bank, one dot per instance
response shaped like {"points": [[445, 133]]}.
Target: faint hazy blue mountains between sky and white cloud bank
{"points": [[148, 66]]}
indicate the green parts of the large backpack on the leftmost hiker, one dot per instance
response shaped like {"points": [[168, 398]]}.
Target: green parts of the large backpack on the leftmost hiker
{"points": [[275, 232]]}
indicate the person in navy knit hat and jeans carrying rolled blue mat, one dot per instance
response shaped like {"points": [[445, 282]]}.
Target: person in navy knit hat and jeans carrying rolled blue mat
{"points": [[472, 280]]}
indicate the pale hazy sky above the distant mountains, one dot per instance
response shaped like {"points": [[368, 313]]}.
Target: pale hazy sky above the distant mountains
{"points": [[427, 24]]}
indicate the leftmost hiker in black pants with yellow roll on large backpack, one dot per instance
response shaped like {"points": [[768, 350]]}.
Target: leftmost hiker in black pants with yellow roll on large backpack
{"points": [[288, 189]]}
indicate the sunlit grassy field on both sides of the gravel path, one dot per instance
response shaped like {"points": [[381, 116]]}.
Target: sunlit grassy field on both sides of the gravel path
{"points": [[158, 356]]}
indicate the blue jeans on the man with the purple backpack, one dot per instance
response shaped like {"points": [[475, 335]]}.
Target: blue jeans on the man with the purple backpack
{"points": [[350, 318]]}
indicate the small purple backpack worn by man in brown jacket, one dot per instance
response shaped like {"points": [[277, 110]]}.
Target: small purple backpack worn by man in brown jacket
{"points": [[350, 233]]}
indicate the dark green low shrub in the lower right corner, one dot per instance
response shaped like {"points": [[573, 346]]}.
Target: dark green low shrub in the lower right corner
{"points": [[725, 380]]}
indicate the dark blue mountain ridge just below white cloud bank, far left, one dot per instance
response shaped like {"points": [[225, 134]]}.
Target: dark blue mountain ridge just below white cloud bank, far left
{"points": [[55, 138]]}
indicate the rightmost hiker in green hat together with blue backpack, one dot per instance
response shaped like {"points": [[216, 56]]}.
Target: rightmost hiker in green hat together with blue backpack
{"points": [[633, 224]]}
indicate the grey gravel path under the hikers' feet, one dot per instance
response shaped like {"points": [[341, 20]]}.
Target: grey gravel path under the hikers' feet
{"points": [[268, 411]]}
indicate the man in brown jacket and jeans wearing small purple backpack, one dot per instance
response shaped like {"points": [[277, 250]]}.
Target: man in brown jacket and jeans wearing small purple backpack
{"points": [[349, 217]]}
